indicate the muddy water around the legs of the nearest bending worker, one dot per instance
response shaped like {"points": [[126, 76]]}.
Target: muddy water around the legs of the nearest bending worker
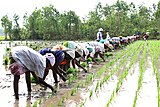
{"points": [[6, 84]]}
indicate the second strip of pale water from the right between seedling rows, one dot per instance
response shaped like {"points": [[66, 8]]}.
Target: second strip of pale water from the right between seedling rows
{"points": [[126, 95]]}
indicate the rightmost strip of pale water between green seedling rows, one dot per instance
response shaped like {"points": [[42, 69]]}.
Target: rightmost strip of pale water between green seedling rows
{"points": [[148, 92]]}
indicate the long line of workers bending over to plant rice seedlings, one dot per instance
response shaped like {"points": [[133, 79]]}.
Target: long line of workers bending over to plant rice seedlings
{"points": [[58, 59]]}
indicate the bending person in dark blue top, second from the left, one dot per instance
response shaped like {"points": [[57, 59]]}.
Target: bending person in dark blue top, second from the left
{"points": [[58, 56]]}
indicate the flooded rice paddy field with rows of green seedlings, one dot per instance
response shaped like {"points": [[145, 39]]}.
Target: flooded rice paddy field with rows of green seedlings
{"points": [[129, 78]]}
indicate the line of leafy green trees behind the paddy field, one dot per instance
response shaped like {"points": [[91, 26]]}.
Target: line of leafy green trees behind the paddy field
{"points": [[119, 19]]}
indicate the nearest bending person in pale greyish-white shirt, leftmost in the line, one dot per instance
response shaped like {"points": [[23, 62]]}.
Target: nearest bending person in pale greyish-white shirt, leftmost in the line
{"points": [[25, 60]]}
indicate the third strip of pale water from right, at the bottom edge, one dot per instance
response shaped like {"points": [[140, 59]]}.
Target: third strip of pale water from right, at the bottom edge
{"points": [[99, 99]]}
